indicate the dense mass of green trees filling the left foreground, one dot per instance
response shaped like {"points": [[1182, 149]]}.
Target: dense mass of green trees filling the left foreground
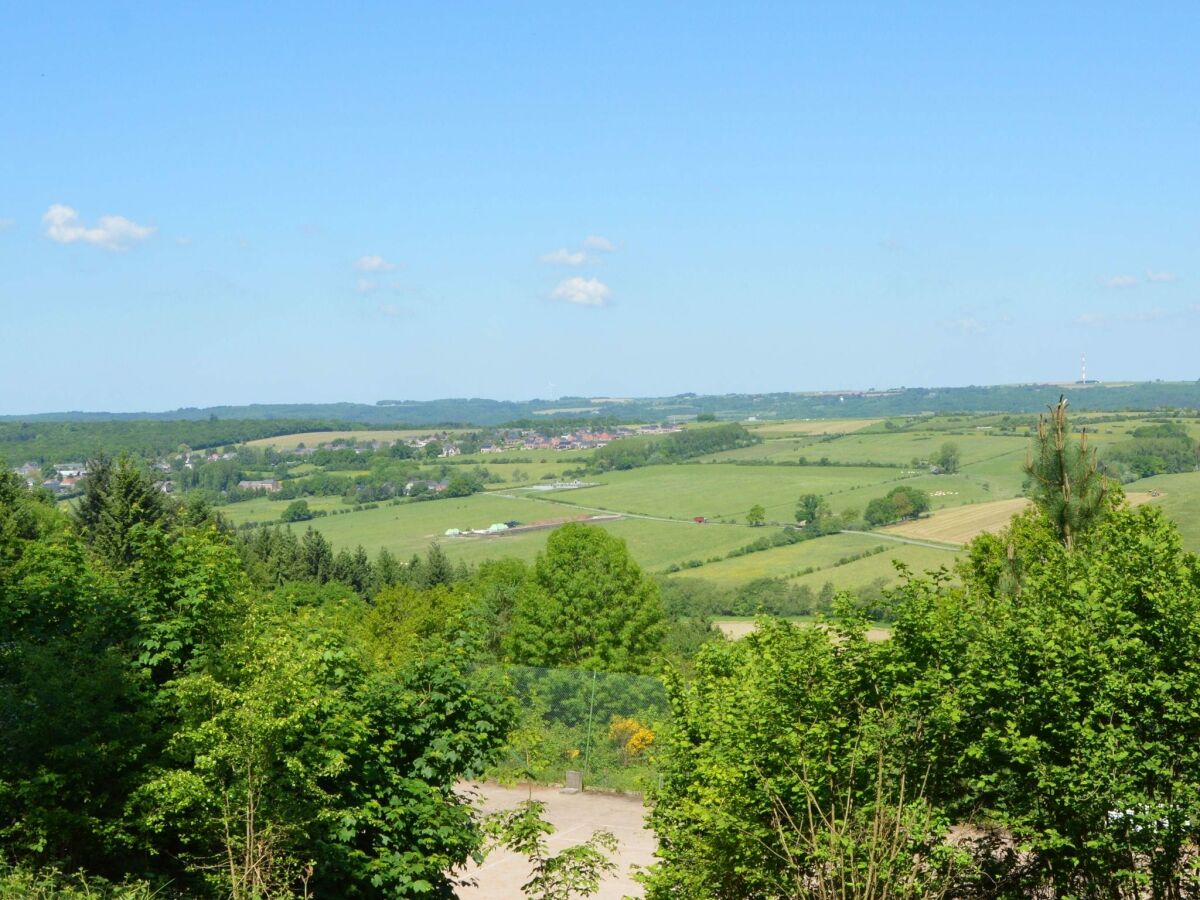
{"points": [[160, 717]]}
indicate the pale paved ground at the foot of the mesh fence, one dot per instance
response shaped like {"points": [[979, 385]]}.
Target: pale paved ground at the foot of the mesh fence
{"points": [[577, 817]]}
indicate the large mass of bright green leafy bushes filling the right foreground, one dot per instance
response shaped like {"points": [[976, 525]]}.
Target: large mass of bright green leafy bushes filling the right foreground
{"points": [[1049, 704]]}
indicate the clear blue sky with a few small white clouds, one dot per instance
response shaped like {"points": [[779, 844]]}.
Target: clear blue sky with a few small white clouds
{"points": [[209, 203]]}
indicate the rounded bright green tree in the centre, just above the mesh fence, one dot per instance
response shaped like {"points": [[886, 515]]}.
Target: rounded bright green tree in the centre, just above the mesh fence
{"points": [[590, 607]]}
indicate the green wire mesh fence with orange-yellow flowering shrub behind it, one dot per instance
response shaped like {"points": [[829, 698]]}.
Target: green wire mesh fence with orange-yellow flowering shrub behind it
{"points": [[599, 724]]}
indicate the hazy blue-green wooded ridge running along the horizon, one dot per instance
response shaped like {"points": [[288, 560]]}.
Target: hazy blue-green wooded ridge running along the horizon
{"points": [[790, 405]]}
